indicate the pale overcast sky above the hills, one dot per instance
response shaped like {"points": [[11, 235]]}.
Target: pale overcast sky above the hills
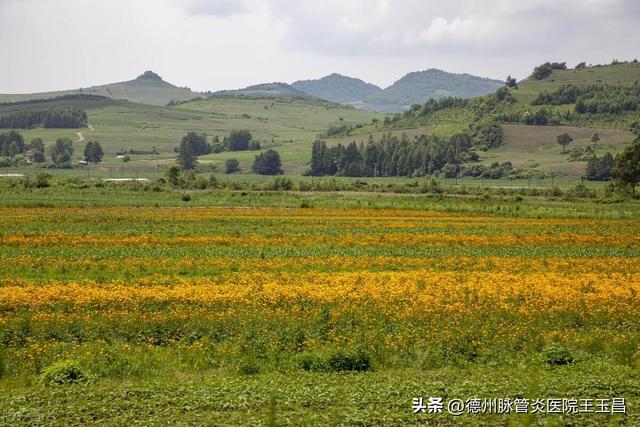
{"points": [[223, 44]]}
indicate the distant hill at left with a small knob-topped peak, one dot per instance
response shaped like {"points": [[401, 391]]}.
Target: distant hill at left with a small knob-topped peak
{"points": [[148, 88]]}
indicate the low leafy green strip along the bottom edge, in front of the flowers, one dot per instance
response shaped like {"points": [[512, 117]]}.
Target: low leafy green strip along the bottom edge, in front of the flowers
{"points": [[375, 398]]}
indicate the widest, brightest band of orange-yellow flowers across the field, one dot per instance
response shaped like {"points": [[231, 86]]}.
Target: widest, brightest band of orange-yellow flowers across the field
{"points": [[395, 293]]}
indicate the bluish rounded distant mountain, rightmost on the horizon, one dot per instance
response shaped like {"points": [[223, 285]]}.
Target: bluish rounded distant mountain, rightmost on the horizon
{"points": [[419, 87]]}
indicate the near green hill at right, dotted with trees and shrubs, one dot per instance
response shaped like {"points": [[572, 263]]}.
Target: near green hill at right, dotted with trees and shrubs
{"points": [[529, 122]]}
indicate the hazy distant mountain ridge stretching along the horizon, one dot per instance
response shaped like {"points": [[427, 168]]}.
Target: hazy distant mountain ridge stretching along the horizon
{"points": [[414, 88]]}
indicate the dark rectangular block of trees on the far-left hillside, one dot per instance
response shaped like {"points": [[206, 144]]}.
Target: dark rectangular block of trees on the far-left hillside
{"points": [[53, 117]]}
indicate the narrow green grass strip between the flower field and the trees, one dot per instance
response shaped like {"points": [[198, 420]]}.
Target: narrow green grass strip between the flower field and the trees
{"points": [[478, 201]]}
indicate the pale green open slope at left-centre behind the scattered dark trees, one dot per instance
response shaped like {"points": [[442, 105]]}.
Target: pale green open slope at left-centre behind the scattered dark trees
{"points": [[293, 125]]}
